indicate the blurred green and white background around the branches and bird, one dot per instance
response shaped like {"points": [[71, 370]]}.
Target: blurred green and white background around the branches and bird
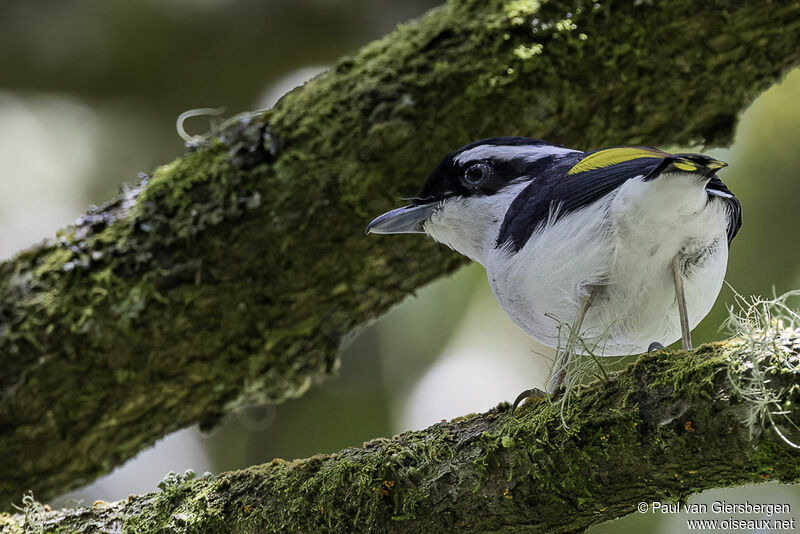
{"points": [[89, 93]]}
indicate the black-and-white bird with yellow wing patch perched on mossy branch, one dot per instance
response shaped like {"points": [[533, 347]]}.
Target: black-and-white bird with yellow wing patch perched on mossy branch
{"points": [[627, 244]]}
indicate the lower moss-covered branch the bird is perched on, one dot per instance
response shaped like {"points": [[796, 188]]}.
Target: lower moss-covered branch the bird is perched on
{"points": [[670, 425]]}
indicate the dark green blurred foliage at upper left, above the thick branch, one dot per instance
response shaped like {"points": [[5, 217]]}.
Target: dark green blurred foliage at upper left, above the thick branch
{"points": [[146, 61]]}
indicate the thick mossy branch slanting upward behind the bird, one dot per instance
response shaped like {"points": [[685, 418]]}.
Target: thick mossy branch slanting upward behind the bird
{"points": [[229, 275]]}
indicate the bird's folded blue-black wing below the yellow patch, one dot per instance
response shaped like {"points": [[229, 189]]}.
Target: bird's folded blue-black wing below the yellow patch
{"points": [[556, 191]]}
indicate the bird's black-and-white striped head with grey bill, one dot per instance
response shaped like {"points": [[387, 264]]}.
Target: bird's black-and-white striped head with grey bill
{"points": [[465, 198]]}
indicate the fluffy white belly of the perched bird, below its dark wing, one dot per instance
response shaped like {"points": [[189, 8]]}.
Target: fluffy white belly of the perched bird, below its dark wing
{"points": [[622, 247]]}
